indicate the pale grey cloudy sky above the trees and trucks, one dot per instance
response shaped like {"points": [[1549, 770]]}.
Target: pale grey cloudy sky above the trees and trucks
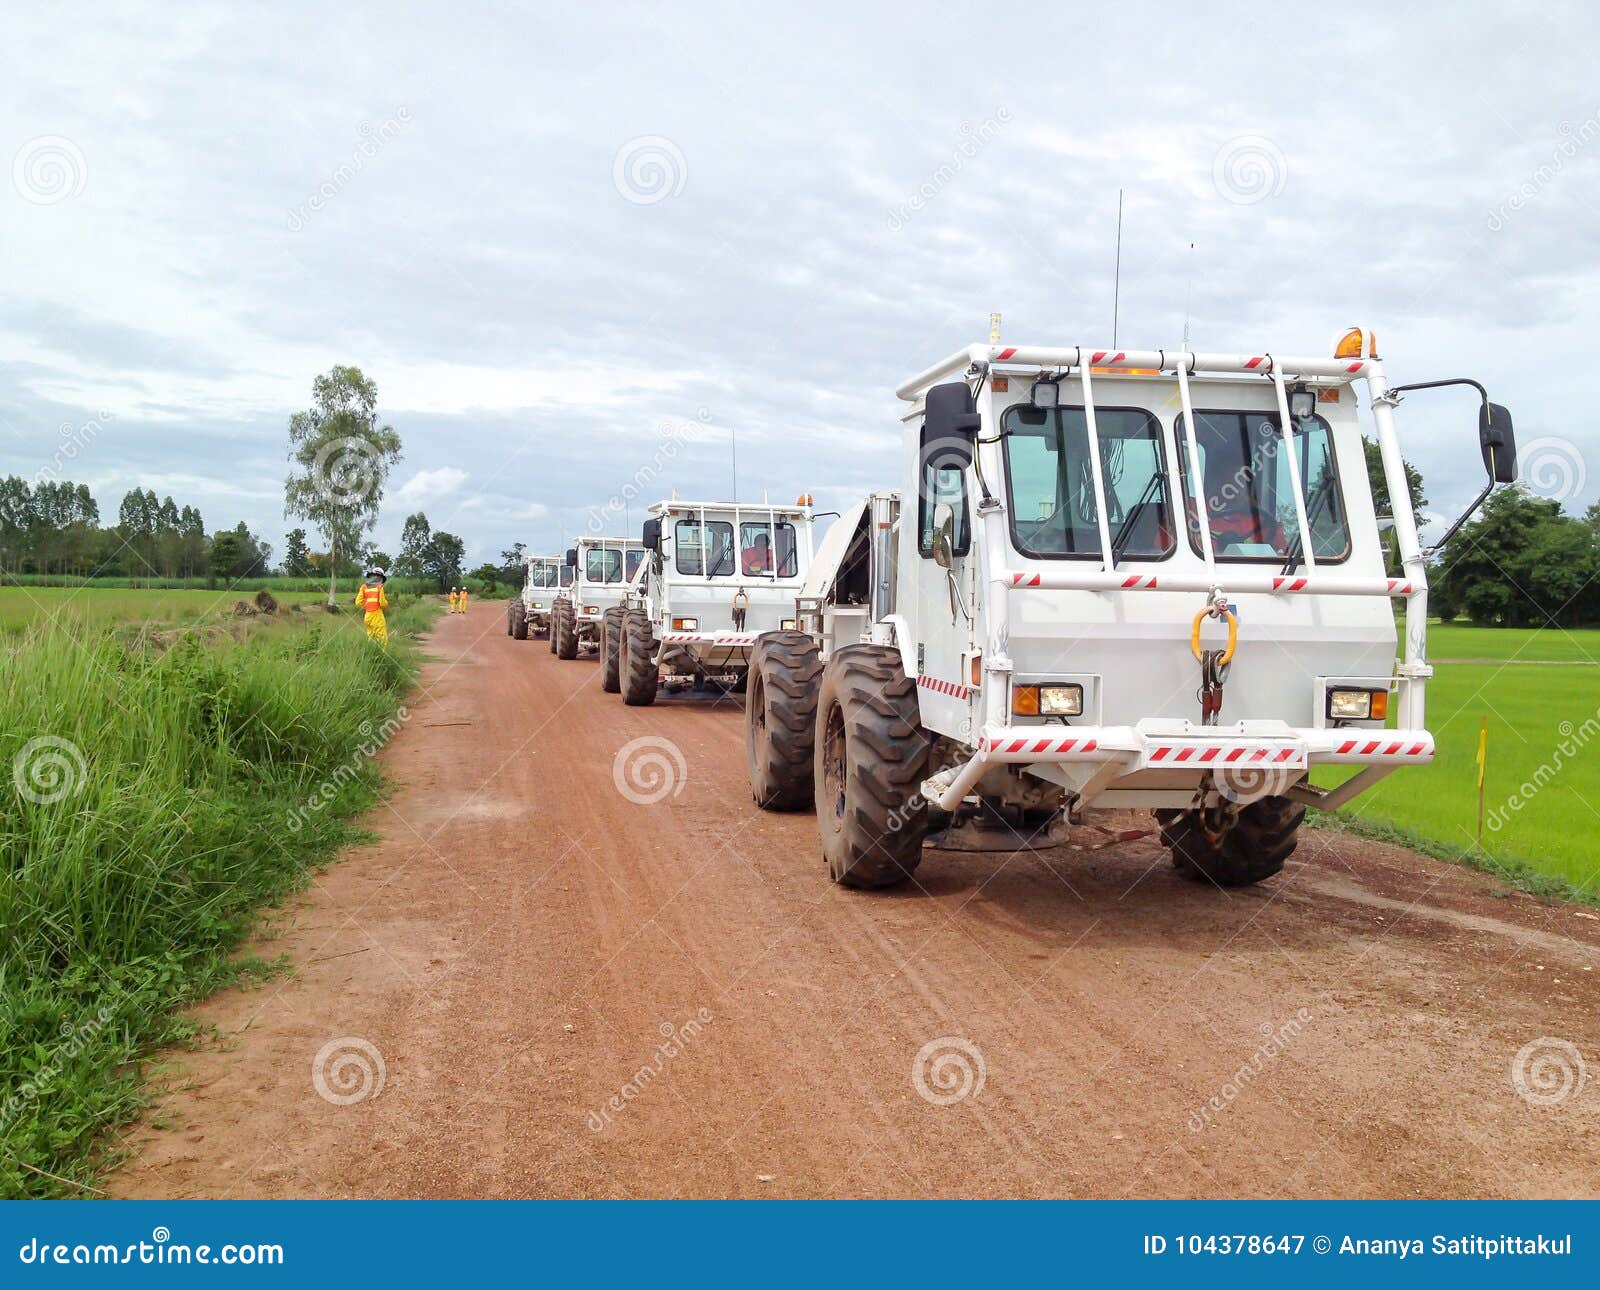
{"points": [[577, 242]]}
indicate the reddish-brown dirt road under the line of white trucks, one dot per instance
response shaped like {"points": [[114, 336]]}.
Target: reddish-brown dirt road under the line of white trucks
{"points": [[542, 985]]}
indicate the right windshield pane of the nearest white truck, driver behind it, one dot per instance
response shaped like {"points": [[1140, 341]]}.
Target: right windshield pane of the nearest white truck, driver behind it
{"points": [[1250, 494]]}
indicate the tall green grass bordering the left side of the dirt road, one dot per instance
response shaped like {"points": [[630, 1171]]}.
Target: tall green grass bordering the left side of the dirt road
{"points": [[153, 804]]}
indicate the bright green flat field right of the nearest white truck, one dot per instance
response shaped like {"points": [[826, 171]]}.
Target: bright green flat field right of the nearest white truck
{"points": [[1532, 713]]}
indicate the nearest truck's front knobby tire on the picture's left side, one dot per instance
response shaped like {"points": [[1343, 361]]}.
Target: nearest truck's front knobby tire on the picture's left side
{"points": [[870, 763]]}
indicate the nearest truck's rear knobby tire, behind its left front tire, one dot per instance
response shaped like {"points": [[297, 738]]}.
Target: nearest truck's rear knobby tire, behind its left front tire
{"points": [[780, 719]]}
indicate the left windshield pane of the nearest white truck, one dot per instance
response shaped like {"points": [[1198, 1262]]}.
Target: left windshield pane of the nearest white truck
{"points": [[1052, 483]]}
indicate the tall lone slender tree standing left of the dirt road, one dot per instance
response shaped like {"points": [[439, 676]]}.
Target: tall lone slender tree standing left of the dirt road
{"points": [[342, 459]]}
